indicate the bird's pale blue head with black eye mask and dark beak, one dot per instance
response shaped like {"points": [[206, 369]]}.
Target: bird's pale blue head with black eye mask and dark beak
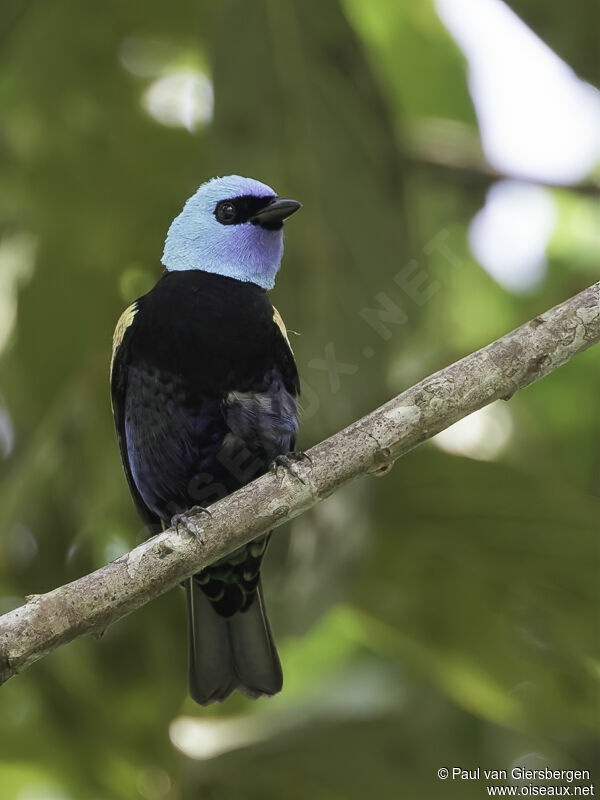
{"points": [[231, 226]]}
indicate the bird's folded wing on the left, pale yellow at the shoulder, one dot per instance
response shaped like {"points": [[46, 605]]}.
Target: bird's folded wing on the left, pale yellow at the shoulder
{"points": [[118, 385]]}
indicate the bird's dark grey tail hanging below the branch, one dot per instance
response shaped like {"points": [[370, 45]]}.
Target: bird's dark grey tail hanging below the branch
{"points": [[227, 653]]}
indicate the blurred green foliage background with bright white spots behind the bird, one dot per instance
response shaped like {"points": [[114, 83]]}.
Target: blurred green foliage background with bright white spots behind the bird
{"points": [[447, 158]]}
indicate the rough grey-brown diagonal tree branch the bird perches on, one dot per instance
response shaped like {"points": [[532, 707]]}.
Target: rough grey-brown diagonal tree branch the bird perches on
{"points": [[371, 445]]}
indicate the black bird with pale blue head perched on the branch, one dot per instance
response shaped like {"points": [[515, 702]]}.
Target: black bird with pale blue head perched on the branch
{"points": [[204, 388]]}
